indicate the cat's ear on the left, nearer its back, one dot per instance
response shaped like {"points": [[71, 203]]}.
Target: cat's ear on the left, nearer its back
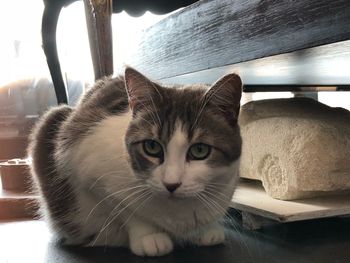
{"points": [[141, 91]]}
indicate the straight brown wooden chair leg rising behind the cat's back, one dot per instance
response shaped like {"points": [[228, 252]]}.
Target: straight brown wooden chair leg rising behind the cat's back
{"points": [[98, 18]]}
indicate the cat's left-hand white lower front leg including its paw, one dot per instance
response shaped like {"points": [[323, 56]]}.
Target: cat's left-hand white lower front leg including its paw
{"points": [[147, 240]]}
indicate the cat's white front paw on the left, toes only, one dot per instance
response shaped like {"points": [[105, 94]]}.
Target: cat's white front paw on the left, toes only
{"points": [[152, 245]]}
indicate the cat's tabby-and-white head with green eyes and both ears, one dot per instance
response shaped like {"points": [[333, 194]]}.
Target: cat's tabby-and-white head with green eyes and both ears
{"points": [[183, 141]]}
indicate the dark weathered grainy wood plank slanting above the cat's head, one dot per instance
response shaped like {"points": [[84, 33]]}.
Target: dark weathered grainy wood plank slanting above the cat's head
{"points": [[217, 33]]}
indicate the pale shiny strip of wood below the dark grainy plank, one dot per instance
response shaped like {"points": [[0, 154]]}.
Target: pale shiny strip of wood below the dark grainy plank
{"points": [[325, 67]]}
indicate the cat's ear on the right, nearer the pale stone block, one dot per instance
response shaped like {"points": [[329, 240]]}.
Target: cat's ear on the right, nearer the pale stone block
{"points": [[226, 95]]}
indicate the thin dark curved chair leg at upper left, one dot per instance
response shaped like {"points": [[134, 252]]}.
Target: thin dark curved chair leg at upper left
{"points": [[48, 31]]}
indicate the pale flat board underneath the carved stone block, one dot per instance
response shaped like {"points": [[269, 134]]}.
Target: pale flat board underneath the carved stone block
{"points": [[250, 197]]}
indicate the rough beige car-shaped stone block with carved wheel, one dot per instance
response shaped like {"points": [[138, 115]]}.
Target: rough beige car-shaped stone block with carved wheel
{"points": [[297, 147]]}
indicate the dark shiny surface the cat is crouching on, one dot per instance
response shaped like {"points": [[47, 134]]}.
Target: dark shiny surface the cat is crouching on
{"points": [[325, 240]]}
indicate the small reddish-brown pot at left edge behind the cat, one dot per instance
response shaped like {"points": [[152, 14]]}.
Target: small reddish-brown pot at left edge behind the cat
{"points": [[15, 175]]}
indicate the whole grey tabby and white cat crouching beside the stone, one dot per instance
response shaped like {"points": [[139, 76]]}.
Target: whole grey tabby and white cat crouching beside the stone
{"points": [[140, 165]]}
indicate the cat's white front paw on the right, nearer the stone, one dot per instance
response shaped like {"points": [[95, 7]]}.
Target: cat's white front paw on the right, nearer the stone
{"points": [[210, 235]]}
